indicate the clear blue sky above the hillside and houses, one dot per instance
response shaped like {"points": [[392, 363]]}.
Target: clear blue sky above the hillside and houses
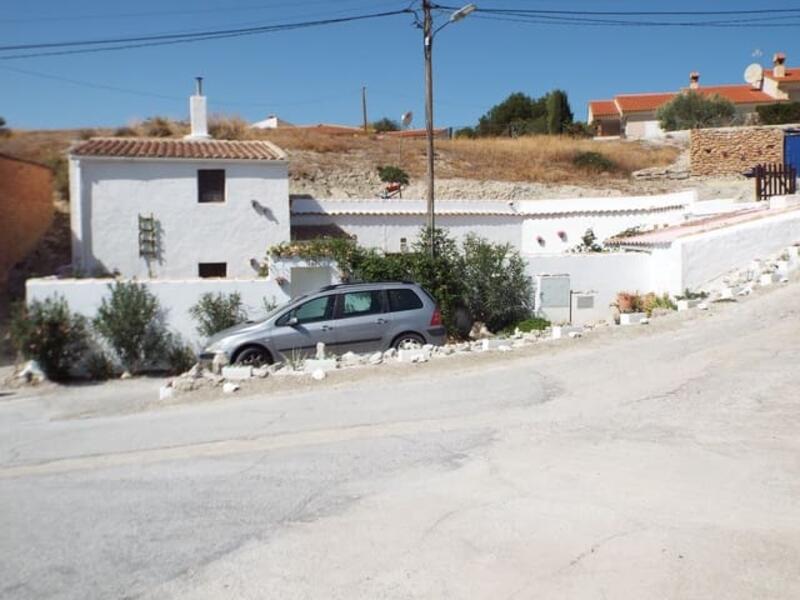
{"points": [[315, 75]]}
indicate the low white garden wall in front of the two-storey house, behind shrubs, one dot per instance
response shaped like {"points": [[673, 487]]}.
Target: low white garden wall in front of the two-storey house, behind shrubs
{"points": [[176, 297]]}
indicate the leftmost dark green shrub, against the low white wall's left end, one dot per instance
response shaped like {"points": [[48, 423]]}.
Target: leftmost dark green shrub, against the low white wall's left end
{"points": [[47, 332]]}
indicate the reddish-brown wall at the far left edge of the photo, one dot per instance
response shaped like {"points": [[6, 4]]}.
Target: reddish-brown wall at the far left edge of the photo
{"points": [[26, 206]]}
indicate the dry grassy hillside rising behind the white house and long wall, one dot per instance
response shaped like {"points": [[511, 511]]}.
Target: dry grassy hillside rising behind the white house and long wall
{"points": [[345, 165]]}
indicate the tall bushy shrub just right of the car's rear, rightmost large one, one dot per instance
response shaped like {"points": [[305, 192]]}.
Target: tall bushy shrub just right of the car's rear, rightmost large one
{"points": [[497, 288]]}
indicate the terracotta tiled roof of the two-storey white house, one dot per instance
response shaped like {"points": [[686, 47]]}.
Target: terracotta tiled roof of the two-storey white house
{"points": [[179, 149]]}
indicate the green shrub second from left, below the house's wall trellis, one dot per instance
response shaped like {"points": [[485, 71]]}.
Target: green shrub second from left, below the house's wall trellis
{"points": [[131, 321]]}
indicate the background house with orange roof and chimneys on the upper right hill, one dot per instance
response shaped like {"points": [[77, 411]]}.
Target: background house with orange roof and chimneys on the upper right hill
{"points": [[634, 115]]}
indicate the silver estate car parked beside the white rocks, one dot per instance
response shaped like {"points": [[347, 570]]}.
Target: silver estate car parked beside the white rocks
{"points": [[359, 317]]}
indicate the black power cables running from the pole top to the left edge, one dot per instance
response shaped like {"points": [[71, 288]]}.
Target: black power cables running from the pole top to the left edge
{"points": [[108, 44]]}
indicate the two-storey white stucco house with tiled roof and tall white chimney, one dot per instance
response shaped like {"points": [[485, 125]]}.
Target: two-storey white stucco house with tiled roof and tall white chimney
{"points": [[177, 208]]}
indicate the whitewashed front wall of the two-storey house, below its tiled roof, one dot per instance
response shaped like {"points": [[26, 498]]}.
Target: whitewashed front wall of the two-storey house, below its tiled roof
{"points": [[109, 194]]}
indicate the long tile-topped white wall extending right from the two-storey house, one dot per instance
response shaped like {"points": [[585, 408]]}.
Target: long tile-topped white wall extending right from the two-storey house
{"points": [[383, 223]]}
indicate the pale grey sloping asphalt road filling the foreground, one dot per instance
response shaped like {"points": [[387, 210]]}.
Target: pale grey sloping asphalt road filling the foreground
{"points": [[662, 461]]}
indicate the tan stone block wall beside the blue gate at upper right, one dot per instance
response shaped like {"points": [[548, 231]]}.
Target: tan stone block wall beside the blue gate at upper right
{"points": [[731, 151]]}
